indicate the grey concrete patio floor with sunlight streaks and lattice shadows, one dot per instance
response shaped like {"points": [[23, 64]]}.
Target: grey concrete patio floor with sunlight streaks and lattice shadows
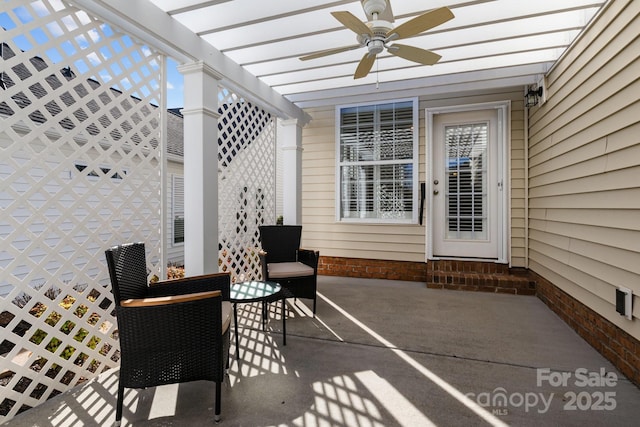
{"points": [[383, 353]]}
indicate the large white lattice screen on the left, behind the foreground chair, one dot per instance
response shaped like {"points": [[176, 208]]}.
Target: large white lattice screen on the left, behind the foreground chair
{"points": [[80, 169]]}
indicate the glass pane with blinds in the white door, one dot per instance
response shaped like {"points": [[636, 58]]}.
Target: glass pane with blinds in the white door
{"points": [[466, 181]]}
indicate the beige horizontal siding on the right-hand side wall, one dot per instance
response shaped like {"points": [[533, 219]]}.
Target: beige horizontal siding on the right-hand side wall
{"points": [[584, 149]]}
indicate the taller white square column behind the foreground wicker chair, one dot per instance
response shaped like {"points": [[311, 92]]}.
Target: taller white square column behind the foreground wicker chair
{"points": [[200, 168]]}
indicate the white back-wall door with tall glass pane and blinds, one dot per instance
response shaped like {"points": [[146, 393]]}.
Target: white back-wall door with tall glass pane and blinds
{"points": [[466, 185]]}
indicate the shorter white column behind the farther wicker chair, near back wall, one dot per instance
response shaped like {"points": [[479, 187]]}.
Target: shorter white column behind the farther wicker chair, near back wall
{"points": [[290, 139]]}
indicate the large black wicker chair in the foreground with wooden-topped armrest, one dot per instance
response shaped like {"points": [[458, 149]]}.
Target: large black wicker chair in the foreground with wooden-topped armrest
{"points": [[172, 331]]}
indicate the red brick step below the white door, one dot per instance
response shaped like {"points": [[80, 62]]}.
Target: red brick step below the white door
{"points": [[517, 282]]}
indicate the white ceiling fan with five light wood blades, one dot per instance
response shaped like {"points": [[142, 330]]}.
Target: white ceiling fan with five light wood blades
{"points": [[377, 34]]}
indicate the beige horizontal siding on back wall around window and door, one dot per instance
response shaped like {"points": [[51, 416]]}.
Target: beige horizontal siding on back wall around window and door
{"points": [[392, 242]]}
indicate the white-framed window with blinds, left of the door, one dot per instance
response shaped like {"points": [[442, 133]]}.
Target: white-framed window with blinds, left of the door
{"points": [[377, 162]]}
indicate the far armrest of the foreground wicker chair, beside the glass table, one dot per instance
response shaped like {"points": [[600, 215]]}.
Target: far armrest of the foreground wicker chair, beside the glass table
{"points": [[193, 284]]}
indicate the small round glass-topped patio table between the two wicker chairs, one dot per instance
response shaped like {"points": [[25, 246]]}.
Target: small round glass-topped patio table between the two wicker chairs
{"points": [[257, 291]]}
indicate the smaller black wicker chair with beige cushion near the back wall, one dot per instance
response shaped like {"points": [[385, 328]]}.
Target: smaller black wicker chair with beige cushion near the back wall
{"points": [[283, 261]]}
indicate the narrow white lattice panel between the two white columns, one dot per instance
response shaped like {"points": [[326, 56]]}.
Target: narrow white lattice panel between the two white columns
{"points": [[247, 198]]}
